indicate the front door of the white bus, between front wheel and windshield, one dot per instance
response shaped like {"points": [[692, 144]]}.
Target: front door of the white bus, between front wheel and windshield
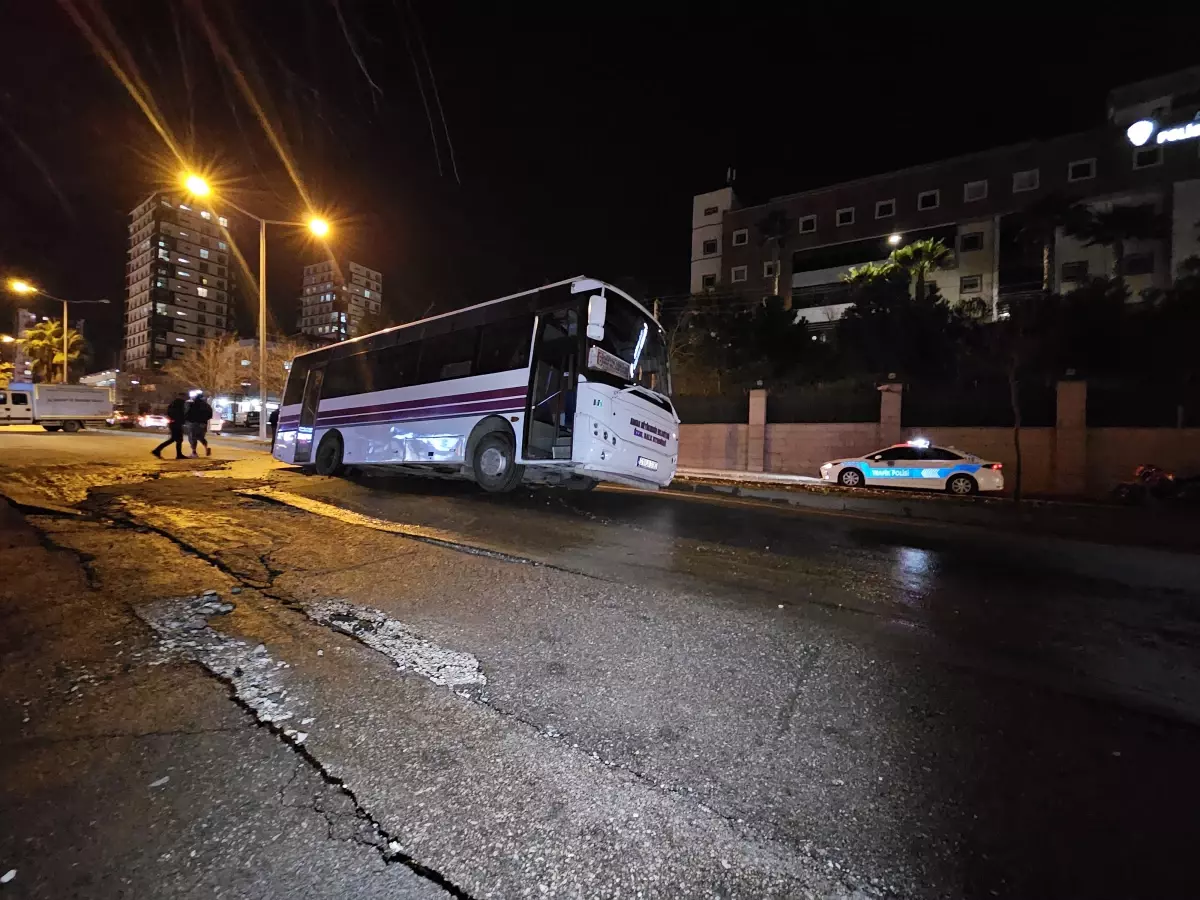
{"points": [[553, 387]]}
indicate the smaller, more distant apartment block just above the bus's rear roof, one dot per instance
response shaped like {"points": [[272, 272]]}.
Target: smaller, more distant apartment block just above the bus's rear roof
{"points": [[335, 299]]}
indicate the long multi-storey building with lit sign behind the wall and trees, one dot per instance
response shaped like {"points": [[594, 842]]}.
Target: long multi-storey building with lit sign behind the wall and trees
{"points": [[971, 205]]}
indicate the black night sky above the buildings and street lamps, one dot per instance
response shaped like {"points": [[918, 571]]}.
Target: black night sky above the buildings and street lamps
{"points": [[578, 141]]}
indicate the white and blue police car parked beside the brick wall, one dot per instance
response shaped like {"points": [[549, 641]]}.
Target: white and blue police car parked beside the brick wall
{"points": [[917, 464]]}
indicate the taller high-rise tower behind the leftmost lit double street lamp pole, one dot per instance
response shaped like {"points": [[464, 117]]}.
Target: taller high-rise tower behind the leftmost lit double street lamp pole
{"points": [[178, 281]]}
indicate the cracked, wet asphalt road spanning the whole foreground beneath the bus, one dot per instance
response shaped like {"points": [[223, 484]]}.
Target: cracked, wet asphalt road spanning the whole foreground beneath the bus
{"points": [[599, 694]]}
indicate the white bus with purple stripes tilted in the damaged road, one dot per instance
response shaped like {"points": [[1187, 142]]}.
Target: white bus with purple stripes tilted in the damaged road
{"points": [[567, 385]]}
